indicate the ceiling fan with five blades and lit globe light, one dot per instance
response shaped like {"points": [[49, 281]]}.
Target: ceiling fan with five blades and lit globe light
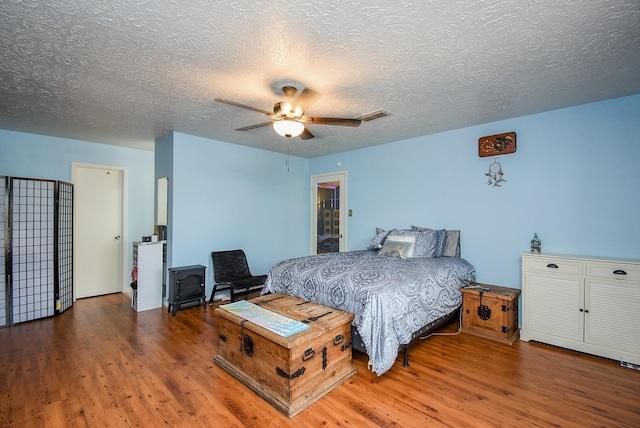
{"points": [[288, 117]]}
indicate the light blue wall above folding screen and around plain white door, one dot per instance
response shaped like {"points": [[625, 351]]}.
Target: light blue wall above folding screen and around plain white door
{"points": [[41, 156]]}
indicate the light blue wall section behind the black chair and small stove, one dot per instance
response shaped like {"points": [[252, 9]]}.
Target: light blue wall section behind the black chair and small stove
{"points": [[225, 196]]}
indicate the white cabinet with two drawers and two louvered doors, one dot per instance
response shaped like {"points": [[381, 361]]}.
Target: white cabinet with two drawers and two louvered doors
{"points": [[589, 304]]}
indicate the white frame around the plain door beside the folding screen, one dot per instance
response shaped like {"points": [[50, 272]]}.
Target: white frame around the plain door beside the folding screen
{"points": [[75, 166]]}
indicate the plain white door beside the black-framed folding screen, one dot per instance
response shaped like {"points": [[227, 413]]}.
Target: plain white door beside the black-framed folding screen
{"points": [[98, 229]]}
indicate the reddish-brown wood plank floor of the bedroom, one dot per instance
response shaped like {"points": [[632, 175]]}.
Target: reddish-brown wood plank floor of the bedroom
{"points": [[102, 364]]}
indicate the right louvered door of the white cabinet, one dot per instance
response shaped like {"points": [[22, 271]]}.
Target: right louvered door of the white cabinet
{"points": [[612, 320]]}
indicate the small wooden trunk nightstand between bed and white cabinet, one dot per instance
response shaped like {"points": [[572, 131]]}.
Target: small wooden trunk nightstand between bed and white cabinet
{"points": [[490, 311]]}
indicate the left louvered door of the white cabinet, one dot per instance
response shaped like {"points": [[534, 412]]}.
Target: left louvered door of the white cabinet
{"points": [[553, 306]]}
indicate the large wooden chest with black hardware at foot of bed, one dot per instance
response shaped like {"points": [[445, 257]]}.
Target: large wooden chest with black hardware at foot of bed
{"points": [[290, 373]]}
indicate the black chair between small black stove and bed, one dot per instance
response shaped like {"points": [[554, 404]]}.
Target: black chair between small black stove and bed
{"points": [[231, 271]]}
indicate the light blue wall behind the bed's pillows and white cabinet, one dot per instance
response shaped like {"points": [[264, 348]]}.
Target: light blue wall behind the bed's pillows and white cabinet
{"points": [[575, 180]]}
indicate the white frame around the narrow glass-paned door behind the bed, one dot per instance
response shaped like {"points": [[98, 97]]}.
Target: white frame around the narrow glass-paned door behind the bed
{"points": [[340, 176]]}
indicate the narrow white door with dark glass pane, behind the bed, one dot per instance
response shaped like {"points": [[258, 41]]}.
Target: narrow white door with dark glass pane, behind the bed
{"points": [[328, 213]]}
